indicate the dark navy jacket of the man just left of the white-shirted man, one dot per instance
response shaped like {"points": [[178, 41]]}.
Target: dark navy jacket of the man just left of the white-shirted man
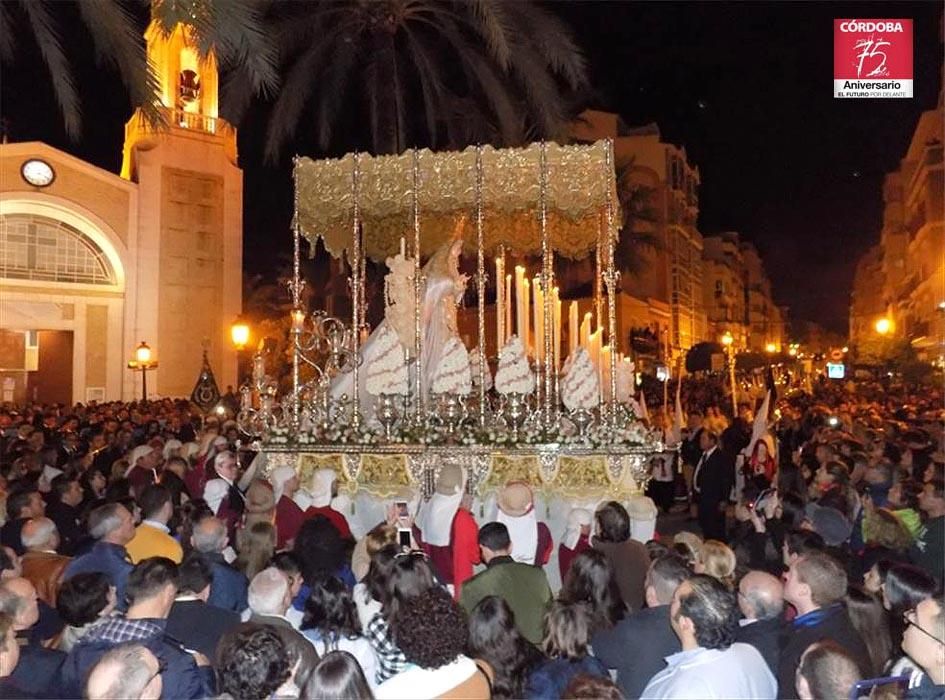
{"points": [[637, 648]]}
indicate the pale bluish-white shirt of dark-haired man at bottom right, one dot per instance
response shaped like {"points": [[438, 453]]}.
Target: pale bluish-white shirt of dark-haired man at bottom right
{"points": [[703, 674]]}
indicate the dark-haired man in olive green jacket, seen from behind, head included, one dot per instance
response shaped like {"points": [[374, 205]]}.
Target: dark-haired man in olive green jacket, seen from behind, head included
{"points": [[523, 586]]}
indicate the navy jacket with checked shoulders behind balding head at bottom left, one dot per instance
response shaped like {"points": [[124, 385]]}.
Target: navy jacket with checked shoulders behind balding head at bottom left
{"points": [[182, 679]]}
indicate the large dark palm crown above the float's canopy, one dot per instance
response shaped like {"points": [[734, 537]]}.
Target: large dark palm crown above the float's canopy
{"points": [[439, 72]]}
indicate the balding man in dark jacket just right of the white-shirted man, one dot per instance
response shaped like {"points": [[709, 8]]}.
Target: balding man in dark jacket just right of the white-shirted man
{"points": [[761, 602]]}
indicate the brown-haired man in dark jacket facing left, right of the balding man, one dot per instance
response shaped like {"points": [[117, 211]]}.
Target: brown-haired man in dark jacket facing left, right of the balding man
{"points": [[815, 585]]}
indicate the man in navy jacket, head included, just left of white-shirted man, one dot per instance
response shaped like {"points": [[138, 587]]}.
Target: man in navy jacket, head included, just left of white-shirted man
{"points": [[638, 645]]}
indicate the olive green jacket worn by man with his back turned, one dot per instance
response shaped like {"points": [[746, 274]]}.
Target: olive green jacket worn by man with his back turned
{"points": [[524, 587]]}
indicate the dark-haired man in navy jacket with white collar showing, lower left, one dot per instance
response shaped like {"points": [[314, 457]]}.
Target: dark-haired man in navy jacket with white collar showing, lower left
{"points": [[192, 621]]}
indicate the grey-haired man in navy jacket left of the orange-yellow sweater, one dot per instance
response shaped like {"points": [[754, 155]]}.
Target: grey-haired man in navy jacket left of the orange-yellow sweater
{"points": [[113, 527]]}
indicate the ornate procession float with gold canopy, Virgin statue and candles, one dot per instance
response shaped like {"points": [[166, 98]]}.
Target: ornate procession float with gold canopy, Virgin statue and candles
{"points": [[387, 407]]}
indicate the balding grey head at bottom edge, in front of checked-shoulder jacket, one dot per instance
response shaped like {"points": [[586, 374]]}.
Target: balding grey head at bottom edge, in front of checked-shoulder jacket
{"points": [[127, 671]]}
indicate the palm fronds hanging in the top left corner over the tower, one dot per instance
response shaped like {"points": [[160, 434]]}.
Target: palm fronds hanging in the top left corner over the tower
{"points": [[232, 28]]}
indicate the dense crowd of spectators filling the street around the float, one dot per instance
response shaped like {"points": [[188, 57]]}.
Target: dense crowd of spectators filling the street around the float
{"points": [[144, 555]]}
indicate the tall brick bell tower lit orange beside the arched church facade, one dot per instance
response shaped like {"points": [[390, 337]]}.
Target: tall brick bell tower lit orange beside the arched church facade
{"points": [[189, 217]]}
